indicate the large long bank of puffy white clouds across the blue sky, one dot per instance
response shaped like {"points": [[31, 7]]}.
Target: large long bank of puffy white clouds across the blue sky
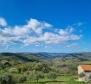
{"points": [[34, 32]]}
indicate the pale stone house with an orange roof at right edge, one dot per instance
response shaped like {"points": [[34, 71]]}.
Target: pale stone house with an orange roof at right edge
{"points": [[84, 72]]}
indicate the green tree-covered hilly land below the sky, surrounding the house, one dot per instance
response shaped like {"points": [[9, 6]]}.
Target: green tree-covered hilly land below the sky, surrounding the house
{"points": [[41, 68]]}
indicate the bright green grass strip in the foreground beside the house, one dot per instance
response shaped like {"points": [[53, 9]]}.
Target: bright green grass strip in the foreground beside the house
{"points": [[64, 79]]}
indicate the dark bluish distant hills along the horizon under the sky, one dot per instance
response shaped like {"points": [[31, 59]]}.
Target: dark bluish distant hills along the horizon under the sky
{"points": [[48, 56]]}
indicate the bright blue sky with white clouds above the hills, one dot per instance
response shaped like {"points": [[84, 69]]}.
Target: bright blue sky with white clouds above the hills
{"points": [[45, 26]]}
